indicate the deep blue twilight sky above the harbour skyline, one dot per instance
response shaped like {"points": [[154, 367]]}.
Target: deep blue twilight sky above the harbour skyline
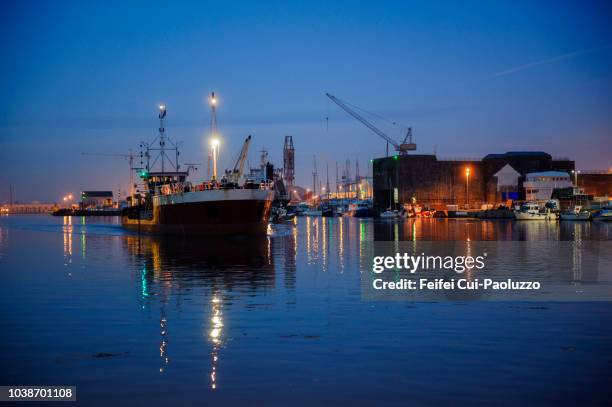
{"points": [[470, 77]]}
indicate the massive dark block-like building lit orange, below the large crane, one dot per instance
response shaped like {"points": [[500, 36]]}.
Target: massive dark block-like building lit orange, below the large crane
{"points": [[434, 183]]}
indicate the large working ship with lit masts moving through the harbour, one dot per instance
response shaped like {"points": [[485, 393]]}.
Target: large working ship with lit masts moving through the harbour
{"points": [[171, 204]]}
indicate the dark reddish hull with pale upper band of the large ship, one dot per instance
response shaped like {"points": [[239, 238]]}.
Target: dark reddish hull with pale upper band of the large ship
{"points": [[240, 212]]}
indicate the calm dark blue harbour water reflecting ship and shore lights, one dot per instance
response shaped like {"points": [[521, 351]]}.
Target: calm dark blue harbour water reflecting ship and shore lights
{"points": [[135, 320]]}
